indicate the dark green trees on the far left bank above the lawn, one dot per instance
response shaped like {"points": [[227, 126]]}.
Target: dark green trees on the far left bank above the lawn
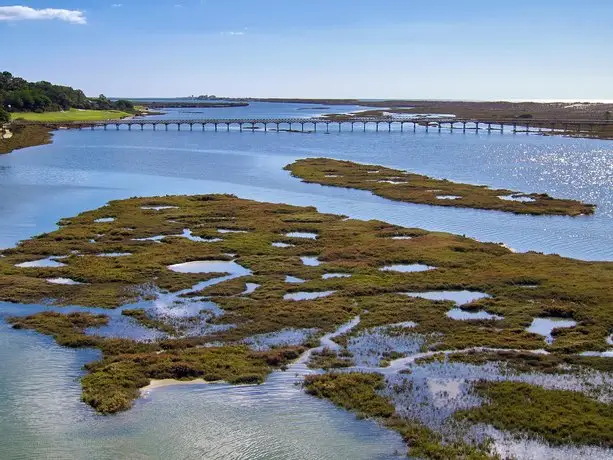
{"points": [[19, 95]]}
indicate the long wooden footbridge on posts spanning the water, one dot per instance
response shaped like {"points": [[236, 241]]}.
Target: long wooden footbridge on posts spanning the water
{"points": [[343, 123]]}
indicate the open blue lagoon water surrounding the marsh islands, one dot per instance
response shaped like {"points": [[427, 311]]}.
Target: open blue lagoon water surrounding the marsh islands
{"points": [[40, 411]]}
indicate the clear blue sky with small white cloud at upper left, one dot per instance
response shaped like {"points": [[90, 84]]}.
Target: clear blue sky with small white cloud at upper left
{"points": [[374, 49]]}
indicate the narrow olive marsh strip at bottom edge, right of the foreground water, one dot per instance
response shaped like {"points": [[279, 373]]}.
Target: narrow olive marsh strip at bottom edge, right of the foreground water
{"points": [[358, 392]]}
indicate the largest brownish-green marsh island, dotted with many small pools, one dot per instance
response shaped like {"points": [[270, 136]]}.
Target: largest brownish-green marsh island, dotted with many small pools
{"points": [[564, 288]]}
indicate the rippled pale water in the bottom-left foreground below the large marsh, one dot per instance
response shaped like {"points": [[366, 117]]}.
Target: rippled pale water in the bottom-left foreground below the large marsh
{"points": [[41, 416]]}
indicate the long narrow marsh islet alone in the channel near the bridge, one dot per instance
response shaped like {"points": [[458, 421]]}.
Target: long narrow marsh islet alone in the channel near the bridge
{"points": [[398, 185]]}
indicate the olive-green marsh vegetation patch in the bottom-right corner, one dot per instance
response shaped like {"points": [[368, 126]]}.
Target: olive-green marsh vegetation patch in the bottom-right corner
{"points": [[558, 416]]}
